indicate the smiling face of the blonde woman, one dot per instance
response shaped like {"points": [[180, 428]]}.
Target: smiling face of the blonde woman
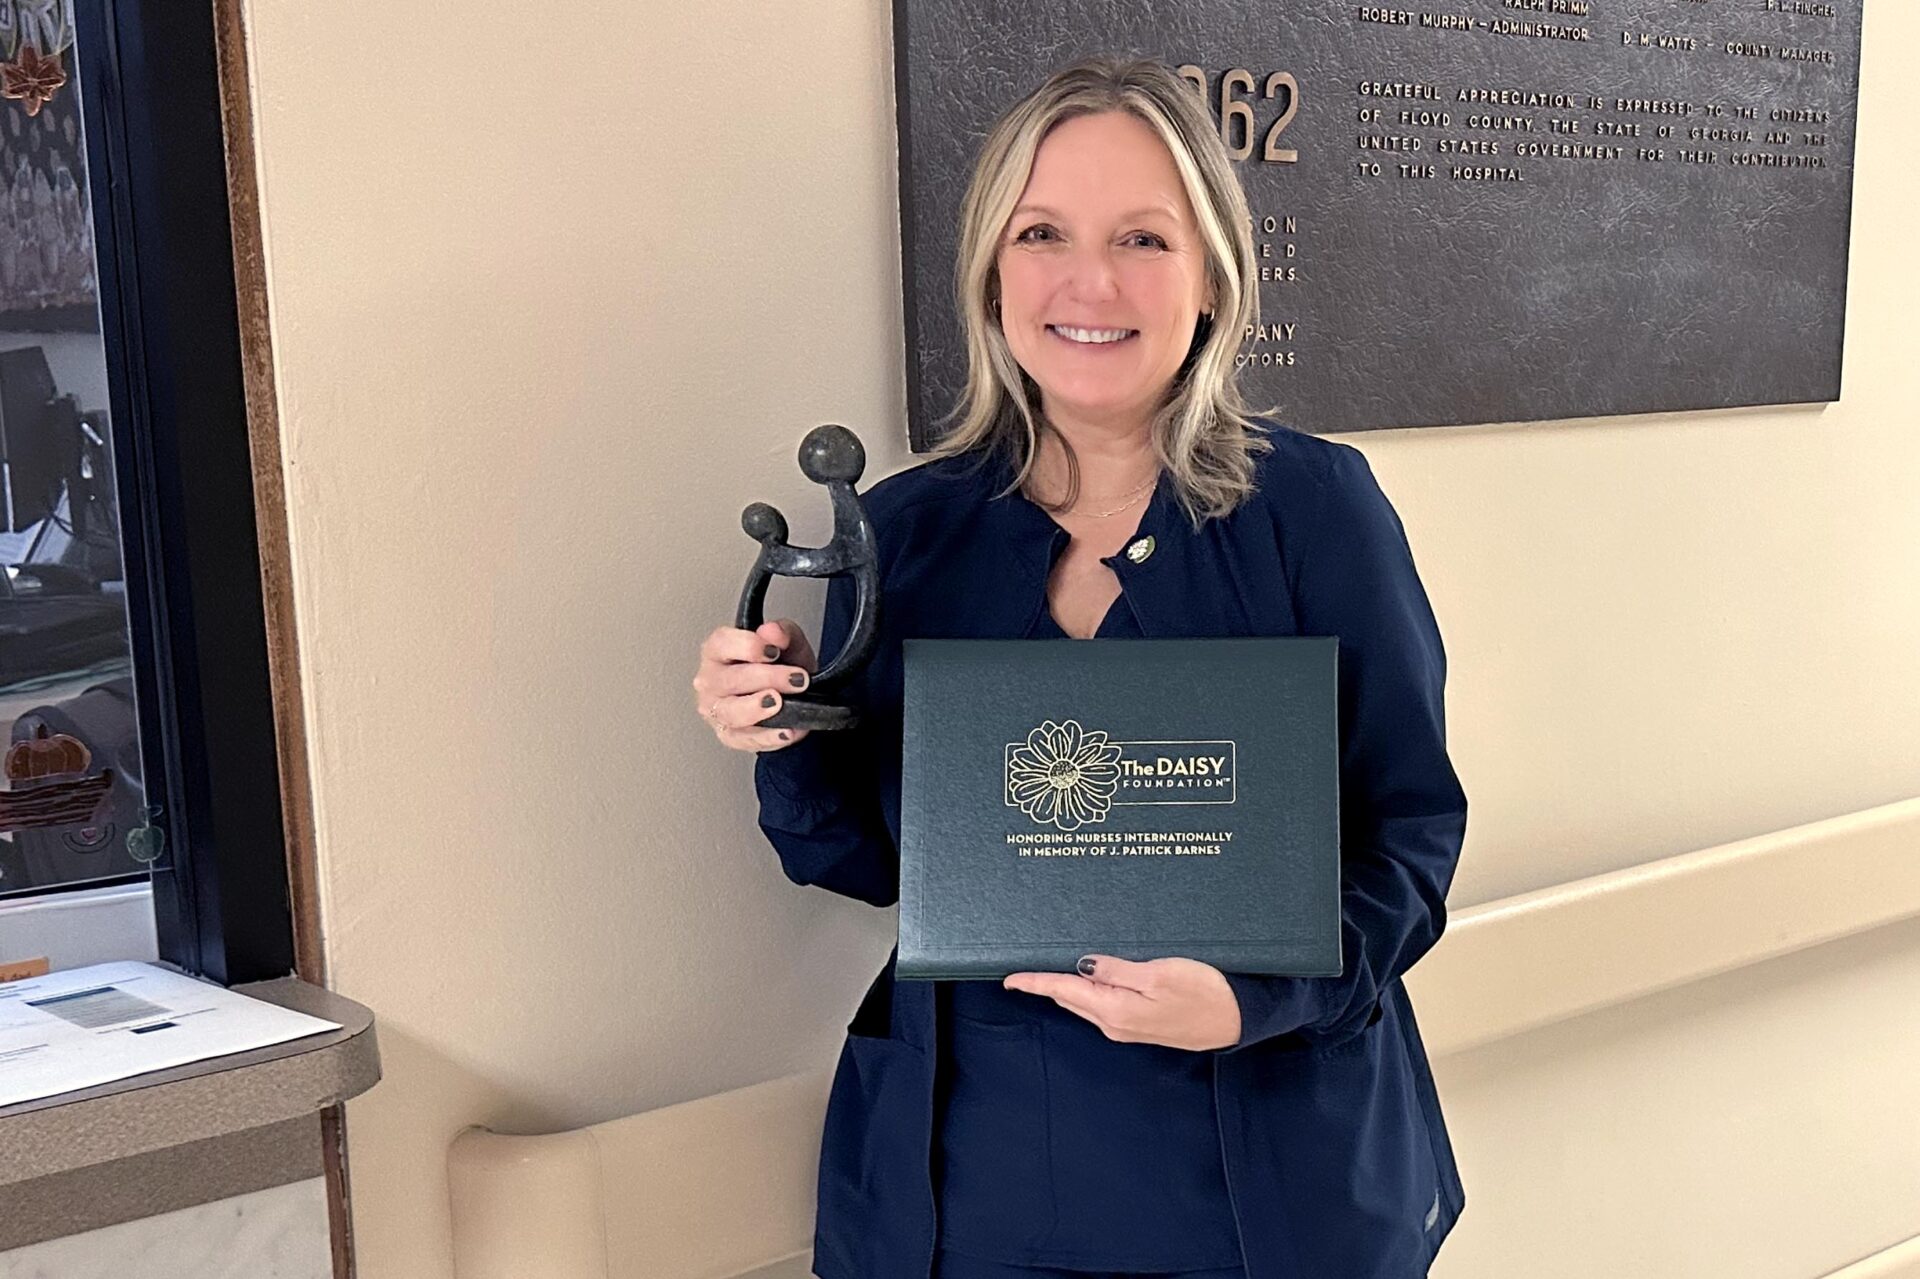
{"points": [[1103, 274]]}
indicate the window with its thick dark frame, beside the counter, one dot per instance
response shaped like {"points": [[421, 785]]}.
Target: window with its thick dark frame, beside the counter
{"points": [[133, 640]]}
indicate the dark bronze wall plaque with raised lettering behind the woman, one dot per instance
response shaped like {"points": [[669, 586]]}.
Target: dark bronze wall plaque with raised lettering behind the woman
{"points": [[1470, 212]]}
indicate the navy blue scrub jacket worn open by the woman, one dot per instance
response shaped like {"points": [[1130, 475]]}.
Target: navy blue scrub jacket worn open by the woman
{"points": [[1337, 1159]]}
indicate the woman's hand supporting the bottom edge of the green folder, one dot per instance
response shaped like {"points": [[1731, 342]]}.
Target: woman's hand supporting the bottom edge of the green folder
{"points": [[1178, 1003]]}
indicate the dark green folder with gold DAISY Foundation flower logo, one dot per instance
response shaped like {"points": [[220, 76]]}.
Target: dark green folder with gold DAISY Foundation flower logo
{"points": [[1136, 798]]}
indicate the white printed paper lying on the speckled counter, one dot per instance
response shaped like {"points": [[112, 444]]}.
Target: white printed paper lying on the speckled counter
{"points": [[85, 1026]]}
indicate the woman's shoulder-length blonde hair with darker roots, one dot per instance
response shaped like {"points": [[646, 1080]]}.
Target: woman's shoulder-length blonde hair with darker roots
{"points": [[1205, 435]]}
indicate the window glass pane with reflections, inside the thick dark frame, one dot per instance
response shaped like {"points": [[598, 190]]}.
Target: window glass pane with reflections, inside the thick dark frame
{"points": [[72, 800]]}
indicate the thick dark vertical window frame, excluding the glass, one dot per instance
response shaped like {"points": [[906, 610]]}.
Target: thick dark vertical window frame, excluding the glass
{"points": [[151, 101]]}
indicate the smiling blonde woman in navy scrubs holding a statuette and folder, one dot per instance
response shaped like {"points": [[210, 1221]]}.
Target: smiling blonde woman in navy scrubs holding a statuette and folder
{"points": [[1107, 481]]}
